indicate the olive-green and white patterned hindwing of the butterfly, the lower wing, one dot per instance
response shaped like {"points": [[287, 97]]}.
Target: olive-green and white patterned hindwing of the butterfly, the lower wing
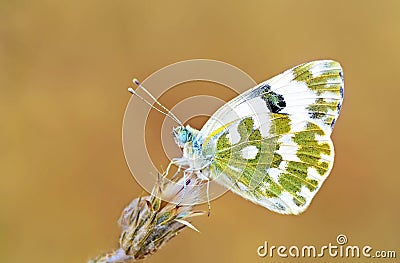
{"points": [[281, 172]]}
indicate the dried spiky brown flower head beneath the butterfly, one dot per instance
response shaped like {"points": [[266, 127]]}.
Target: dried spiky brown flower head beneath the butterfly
{"points": [[149, 222]]}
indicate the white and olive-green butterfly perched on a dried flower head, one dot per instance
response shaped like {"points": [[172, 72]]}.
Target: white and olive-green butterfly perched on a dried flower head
{"points": [[271, 144]]}
